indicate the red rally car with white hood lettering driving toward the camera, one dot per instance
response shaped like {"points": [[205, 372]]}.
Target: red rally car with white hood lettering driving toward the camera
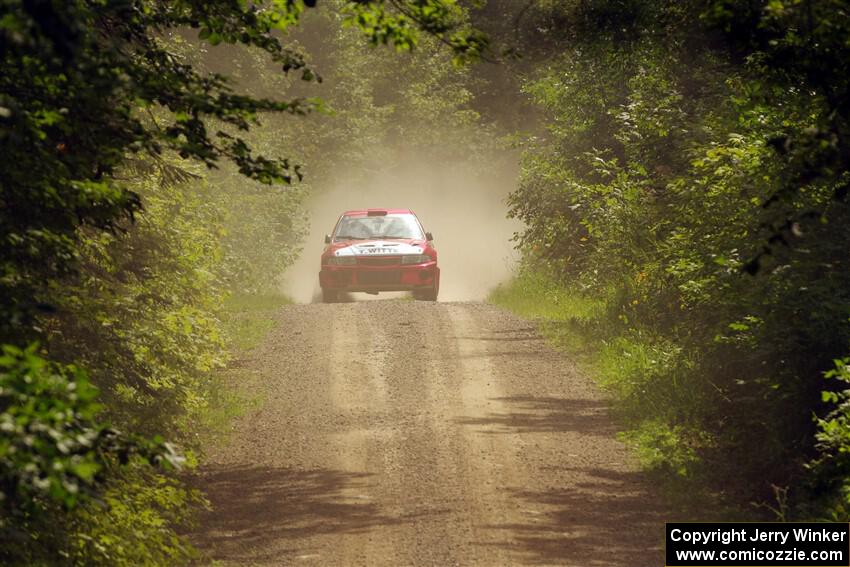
{"points": [[374, 250]]}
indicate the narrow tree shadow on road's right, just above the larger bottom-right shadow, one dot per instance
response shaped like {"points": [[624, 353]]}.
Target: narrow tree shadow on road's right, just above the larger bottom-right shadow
{"points": [[546, 415]]}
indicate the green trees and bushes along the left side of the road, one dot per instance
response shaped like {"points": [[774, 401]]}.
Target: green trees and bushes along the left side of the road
{"points": [[117, 253]]}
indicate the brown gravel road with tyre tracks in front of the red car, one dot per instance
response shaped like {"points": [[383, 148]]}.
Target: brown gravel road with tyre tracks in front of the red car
{"points": [[409, 433]]}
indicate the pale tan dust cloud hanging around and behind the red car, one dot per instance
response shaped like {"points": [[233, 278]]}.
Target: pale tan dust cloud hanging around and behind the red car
{"points": [[463, 207]]}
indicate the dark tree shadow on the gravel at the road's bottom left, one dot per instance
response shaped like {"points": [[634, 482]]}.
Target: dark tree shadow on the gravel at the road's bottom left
{"points": [[259, 512]]}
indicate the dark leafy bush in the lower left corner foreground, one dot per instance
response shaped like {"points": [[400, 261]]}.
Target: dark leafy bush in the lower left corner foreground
{"points": [[56, 457]]}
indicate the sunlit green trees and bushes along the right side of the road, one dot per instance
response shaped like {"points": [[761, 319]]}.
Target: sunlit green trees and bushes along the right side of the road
{"points": [[692, 178]]}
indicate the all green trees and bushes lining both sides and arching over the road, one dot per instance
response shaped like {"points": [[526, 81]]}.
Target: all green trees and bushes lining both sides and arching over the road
{"points": [[685, 203]]}
